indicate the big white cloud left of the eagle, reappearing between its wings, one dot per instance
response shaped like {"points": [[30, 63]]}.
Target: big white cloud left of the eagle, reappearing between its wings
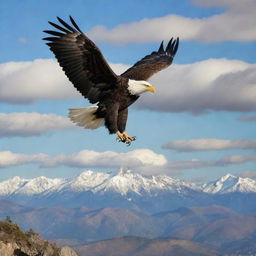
{"points": [[26, 82]]}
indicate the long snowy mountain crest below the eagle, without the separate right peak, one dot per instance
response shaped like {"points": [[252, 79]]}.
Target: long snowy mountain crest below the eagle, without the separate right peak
{"points": [[124, 182]]}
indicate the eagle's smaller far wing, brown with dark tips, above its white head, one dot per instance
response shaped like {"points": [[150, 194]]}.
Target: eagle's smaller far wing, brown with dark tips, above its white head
{"points": [[153, 63]]}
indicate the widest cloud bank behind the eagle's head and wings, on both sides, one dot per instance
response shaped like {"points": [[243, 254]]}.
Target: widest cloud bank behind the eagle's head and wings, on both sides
{"points": [[214, 84]]}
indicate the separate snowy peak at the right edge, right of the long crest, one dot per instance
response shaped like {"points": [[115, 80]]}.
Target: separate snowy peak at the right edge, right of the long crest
{"points": [[230, 183]]}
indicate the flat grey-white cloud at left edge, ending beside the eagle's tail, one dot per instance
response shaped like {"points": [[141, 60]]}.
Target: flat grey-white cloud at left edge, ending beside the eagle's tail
{"points": [[30, 124]]}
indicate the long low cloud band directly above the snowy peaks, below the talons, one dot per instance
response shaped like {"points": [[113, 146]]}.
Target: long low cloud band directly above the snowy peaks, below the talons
{"points": [[143, 160]]}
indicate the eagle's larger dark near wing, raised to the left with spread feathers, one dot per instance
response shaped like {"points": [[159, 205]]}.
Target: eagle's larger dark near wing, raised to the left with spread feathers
{"points": [[81, 60]]}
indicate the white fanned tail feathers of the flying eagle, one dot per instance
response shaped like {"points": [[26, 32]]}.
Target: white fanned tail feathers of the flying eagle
{"points": [[86, 117]]}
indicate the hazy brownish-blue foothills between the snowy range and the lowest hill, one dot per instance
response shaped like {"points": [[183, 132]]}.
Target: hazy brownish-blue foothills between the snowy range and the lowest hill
{"points": [[210, 225]]}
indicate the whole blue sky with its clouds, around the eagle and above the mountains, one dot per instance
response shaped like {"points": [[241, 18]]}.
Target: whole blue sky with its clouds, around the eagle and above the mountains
{"points": [[204, 112]]}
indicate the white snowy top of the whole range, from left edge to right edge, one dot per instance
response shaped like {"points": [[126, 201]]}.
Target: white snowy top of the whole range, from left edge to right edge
{"points": [[125, 182]]}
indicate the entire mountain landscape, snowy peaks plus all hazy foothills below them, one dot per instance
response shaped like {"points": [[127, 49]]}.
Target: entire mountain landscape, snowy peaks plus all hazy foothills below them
{"points": [[118, 208]]}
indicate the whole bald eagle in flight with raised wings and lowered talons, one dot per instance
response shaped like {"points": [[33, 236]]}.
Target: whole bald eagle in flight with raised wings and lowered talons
{"points": [[87, 69]]}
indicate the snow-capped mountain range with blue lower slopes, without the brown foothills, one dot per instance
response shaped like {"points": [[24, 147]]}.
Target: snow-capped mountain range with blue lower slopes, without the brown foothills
{"points": [[129, 190]]}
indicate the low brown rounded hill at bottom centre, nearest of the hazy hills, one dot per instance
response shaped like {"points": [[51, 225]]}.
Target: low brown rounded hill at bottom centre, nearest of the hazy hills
{"points": [[135, 246]]}
